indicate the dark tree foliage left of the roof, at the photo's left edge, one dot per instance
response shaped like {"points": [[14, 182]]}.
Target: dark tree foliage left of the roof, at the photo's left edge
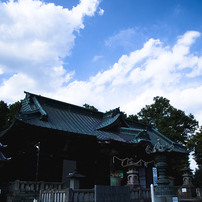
{"points": [[7, 114]]}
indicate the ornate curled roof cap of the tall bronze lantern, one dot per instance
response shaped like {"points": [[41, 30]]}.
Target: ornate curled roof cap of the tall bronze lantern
{"points": [[158, 147]]}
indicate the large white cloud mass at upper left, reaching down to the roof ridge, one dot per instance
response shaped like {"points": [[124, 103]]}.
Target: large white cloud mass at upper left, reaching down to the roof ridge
{"points": [[35, 37]]}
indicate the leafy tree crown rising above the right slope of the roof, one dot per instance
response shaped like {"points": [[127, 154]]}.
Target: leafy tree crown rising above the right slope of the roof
{"points": [[171, 122]]}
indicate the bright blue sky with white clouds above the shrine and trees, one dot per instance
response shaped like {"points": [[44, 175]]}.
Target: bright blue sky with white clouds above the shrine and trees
{"points": [[117, 53]]}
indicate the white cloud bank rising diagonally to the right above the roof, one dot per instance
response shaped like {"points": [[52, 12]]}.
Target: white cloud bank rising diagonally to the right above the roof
{"points": [[132, 82]]}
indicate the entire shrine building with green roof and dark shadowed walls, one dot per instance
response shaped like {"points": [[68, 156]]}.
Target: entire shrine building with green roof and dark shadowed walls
{"points": [[71, 136]]}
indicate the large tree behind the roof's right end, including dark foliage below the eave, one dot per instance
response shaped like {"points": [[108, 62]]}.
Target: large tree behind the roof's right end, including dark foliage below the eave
{"points": [[174, 124]]}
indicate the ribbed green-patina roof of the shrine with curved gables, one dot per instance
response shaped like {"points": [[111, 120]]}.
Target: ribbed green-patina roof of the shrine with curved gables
{"points": [[44, 112]]}
